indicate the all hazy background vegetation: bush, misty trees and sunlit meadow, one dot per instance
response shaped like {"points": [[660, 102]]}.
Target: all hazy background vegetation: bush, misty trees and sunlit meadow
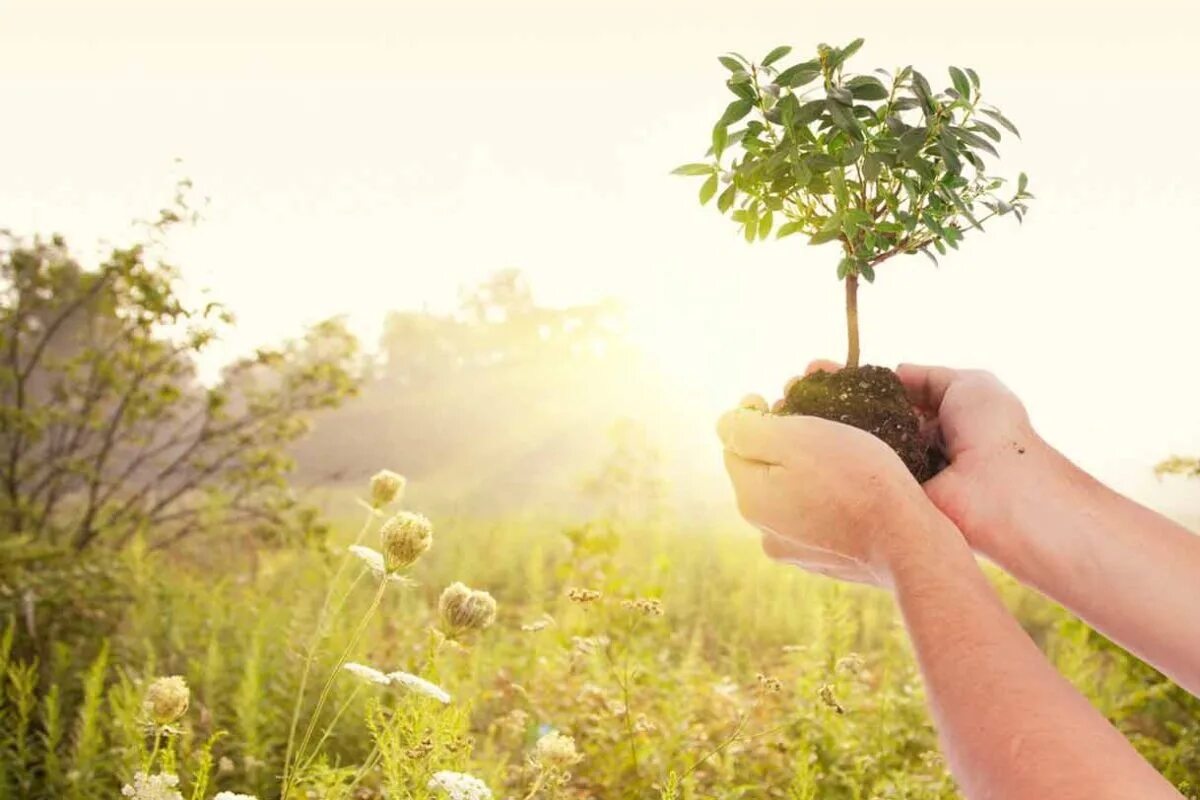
{"points": [[158, 522]]}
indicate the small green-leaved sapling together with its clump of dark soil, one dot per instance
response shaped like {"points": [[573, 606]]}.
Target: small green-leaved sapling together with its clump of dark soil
{"points": [[880, 166]]}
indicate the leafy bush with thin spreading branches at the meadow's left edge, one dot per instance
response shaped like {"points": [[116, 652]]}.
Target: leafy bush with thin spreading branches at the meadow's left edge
{"points": [[106, 431]]}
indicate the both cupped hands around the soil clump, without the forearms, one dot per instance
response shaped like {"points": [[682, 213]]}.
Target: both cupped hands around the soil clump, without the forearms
{"points": [[837, 501]]}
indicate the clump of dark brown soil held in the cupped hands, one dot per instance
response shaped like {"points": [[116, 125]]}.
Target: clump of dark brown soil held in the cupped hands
{"points": [[874, 400]]}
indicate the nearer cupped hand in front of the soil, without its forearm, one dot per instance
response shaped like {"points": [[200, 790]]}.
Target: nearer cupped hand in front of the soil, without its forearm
{"points": [[827, 497]]}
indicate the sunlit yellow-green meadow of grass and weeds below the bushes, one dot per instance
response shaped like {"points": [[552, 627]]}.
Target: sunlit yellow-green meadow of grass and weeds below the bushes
{"points": [[680, 663]]}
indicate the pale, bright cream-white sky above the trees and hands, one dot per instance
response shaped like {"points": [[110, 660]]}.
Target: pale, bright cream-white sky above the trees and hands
{"points": [[363, 157]]}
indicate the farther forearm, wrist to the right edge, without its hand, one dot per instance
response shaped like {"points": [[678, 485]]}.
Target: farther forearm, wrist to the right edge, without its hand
{"points": [[1132, 574]]}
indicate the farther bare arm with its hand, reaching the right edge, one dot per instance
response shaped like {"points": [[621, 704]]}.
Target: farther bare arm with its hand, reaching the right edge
{"points": [[1130, 573]]}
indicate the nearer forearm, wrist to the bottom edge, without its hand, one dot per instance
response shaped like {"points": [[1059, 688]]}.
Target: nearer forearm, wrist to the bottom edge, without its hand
{"points": [[1011, 726]]}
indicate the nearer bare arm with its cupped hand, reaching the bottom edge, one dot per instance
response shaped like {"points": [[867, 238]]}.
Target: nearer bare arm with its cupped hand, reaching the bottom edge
{"points": [[836, 501]]}
